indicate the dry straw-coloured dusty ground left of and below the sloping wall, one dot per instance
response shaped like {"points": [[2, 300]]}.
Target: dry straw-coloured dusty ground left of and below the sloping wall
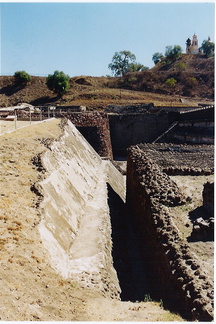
{"points": [[30, 289]]}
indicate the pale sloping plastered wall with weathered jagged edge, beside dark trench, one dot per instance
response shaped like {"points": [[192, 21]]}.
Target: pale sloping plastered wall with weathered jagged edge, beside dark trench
{"points": [[75, 226]]}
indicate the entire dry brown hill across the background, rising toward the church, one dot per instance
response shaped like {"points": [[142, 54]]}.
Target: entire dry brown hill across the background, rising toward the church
{"points": [[194, 82]]}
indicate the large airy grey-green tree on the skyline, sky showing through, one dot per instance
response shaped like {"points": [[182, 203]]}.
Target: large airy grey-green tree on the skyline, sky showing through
{"points": [[121, 62]]}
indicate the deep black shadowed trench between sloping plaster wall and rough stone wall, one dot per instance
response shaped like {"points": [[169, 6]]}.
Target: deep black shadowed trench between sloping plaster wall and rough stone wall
{"points": [[132, 270]]}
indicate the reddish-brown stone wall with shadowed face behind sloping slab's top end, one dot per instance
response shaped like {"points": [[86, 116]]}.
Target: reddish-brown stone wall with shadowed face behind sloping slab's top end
{"points": [[94, 126]]}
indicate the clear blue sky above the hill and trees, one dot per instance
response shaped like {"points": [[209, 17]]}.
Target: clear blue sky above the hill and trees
{"points": [[81, 38]]}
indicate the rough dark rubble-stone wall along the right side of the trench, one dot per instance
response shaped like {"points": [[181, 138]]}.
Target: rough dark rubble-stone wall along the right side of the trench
{"points": [[180, 282]]}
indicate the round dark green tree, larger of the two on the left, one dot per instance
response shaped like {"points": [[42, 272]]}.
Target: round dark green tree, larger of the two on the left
{"points": [[58, 82]]}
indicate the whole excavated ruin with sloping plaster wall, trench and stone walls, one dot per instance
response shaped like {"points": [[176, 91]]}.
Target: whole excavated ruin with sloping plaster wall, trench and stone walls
{"points": [[117, 215]]}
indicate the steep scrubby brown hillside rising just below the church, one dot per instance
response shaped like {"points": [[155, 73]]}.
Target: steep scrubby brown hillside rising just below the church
{"points": [[194, 75]]}
